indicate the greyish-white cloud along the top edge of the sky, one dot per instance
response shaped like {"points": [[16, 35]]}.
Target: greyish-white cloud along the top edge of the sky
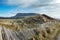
{"points": [[26, 3]]}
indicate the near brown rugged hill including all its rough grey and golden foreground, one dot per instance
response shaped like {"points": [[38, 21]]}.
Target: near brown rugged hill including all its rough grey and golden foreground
{"points": [[37, 27]]}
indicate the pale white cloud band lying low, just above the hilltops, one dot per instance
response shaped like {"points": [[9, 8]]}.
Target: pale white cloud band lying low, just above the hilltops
{"points": [[53, 11]]}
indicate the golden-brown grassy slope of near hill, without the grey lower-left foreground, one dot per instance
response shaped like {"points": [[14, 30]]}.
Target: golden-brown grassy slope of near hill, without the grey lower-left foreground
{"points": [[49, 32]]}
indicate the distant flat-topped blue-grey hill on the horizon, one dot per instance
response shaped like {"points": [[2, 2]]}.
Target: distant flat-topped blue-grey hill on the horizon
{"points": [[19, 15]]}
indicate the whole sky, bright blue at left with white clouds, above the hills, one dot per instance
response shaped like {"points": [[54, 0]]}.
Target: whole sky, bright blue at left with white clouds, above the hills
{"points": [[11, 7]]}
